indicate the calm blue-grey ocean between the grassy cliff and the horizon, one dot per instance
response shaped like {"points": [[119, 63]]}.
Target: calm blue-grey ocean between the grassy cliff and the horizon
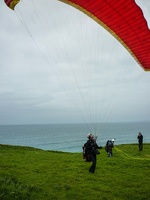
{"points": [[71, 137]]}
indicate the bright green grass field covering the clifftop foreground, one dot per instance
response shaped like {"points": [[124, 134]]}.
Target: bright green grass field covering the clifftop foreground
{"points": [[29, 173]]}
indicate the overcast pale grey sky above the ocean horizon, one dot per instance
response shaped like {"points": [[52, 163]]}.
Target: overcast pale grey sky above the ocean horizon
{"points": [[59, 66]]}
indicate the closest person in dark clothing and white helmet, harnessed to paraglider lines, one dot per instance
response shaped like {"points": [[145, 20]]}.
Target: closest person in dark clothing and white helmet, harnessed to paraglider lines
{"points": [[90, 151]]}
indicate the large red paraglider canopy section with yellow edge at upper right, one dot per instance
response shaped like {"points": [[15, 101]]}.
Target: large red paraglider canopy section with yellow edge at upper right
{"points": [[124, 20]]}
